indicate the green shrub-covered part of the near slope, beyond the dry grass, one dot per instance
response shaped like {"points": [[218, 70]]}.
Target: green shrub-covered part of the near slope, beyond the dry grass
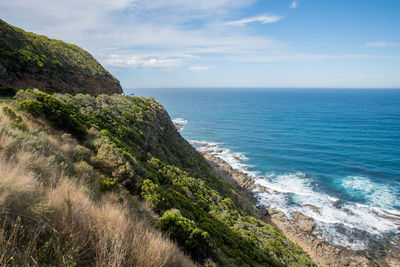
{"points": [[130, 145]]}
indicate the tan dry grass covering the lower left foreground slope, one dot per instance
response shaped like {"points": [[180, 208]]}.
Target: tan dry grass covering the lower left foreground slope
{"points": [[52, 214]]}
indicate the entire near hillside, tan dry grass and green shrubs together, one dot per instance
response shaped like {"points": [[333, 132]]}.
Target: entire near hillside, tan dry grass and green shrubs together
{"points": [[98, 178]]}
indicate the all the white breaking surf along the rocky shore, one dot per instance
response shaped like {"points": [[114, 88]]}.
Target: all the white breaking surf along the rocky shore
{"points": [[340, 222]]}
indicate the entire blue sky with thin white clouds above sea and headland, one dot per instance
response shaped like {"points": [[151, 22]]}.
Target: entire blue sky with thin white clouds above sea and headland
{"points": [[227, 43]]}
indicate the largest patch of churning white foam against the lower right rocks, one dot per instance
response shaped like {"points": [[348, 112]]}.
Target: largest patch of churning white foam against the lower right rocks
{"points": [[340, 222]]}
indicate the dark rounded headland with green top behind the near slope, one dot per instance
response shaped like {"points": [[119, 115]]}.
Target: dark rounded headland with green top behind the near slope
{"points": [[28, 60]]}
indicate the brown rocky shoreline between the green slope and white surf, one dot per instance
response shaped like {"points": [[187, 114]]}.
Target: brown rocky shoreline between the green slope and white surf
{"points": [[300, 229]]}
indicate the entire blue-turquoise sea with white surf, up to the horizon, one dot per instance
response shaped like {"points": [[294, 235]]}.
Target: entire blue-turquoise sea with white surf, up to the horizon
{"points": [[338, 150]]}
